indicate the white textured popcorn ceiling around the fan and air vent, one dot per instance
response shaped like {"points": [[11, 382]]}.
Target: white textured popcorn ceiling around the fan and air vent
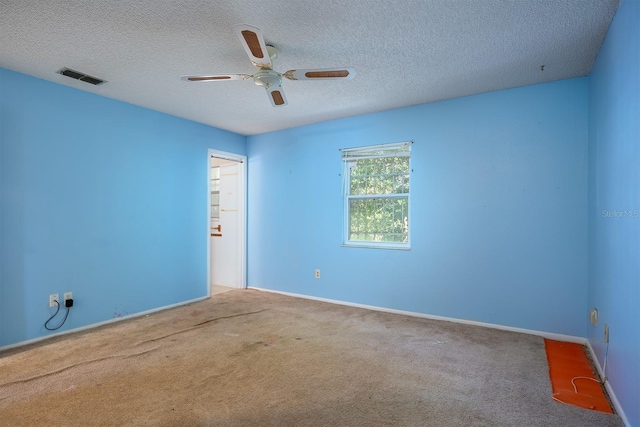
{"points": [[405, 52]]}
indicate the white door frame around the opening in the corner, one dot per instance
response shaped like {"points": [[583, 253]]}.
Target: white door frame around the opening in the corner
{"points": [[242, 214]]}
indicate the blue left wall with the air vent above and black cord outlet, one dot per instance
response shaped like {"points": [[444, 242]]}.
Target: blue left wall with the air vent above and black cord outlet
{"points": [[101, 198]]}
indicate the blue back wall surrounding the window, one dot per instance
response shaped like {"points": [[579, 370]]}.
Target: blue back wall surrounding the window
{"points": [[498, 210]]}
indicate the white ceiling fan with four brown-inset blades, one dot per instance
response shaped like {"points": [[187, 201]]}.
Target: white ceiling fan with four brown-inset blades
{"points": [[262, 55]]}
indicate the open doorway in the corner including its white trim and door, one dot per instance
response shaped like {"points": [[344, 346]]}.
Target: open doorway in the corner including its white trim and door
{"points": [[227, 221]]}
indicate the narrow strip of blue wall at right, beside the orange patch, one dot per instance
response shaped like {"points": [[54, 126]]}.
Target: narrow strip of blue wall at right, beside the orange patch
{"points": [[614, 187]]}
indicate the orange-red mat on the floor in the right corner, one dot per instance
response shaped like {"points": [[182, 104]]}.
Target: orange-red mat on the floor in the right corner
{"points": [[573, 379]]}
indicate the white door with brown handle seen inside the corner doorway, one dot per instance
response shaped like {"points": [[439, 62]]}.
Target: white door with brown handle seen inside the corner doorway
{"points": [[225, 224]]}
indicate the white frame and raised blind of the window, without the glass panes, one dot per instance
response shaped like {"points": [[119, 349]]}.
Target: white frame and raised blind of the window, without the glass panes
{"points": [[374, 151]]}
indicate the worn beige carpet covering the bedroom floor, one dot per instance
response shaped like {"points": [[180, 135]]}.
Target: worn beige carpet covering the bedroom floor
{"points": [[249, 358]]}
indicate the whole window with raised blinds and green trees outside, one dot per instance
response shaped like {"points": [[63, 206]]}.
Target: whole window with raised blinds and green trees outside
{"points": [[376, 195]]}
